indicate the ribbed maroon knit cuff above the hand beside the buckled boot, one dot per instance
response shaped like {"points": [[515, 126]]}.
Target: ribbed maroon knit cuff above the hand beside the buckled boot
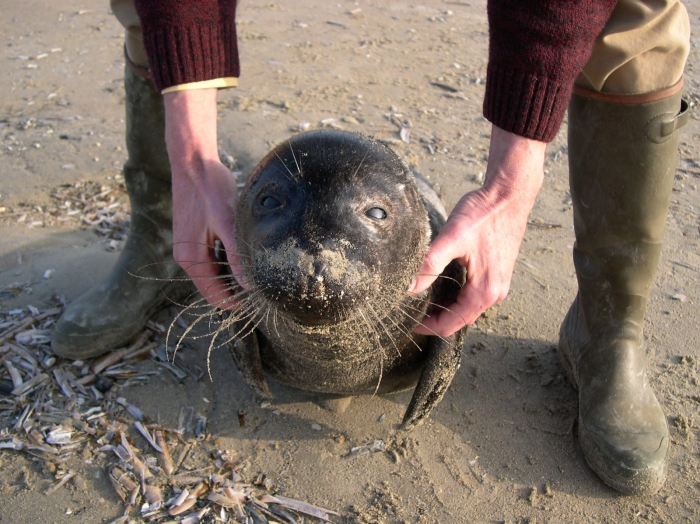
{"points": [[525, 104]]}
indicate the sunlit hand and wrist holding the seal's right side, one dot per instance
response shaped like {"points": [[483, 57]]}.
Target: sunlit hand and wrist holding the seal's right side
{"points": [[483, 233]]}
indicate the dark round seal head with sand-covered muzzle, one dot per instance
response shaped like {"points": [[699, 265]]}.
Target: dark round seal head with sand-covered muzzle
{"points": [[328, 221]]}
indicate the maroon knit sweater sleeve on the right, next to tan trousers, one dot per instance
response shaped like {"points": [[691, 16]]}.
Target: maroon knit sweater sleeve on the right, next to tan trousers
{"points": [[536, 49]]}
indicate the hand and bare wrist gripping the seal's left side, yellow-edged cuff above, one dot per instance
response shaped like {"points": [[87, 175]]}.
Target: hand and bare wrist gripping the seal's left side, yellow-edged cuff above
{"points": [[204, 194]]}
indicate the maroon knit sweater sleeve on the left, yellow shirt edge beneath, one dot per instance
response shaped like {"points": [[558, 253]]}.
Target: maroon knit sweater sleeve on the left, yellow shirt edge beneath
{"points": [[189, 40]]}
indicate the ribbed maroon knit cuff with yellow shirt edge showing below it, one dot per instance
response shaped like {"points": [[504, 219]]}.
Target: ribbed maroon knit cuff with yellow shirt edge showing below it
{"points": [[195, 53]]}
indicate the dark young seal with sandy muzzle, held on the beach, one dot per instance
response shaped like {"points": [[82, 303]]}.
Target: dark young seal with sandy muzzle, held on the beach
{"points": [[332, 227]]}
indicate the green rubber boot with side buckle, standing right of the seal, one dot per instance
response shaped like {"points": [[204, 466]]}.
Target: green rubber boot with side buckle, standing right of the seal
{"points": [[622, 160]]}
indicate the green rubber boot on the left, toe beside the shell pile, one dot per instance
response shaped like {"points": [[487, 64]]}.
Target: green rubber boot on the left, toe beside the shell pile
{"points": [[145, 277]]}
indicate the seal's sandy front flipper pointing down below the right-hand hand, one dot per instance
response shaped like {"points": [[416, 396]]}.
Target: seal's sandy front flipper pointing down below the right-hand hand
{"points": [[441, 366]]}
